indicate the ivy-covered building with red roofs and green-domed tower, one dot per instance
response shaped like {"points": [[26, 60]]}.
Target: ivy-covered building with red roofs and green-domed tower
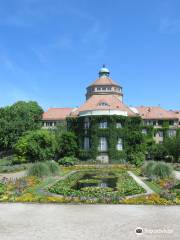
{"points": [[104, 122]]}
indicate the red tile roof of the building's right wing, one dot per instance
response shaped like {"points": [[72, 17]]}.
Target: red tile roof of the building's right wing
{"points": [[155, 113]]}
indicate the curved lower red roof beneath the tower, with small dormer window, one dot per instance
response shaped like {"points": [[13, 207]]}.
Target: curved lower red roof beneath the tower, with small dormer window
{"points": [[112, 101]]}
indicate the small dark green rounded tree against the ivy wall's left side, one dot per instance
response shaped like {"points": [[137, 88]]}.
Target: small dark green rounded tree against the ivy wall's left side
{"points": [[67, 145]]}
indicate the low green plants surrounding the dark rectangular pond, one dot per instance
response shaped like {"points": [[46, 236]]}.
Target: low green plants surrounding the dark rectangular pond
{"points": [[125, 186]]}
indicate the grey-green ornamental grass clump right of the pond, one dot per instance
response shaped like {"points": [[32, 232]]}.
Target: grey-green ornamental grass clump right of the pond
{"points": [[156, 170]]}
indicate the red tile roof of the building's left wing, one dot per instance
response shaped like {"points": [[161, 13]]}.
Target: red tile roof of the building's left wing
{"points": [[57, 113]]}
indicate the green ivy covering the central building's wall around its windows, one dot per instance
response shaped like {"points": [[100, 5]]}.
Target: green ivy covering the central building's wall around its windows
{"points": [[130, 132]]}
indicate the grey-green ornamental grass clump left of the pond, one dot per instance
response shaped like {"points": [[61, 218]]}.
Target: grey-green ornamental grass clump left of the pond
{"points": [[39, 170]]}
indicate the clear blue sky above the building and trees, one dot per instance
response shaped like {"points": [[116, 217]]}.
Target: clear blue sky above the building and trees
{"points": [[50, 50]]}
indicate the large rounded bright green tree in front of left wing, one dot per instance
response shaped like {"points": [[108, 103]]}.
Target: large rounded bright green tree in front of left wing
{"points": [[35, 146]]}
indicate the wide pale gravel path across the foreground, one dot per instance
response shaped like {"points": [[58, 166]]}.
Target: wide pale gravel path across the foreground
{"points": [[88, 222]]}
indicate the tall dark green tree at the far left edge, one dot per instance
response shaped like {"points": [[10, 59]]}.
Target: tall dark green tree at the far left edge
{"points": [[17, 119]]}
